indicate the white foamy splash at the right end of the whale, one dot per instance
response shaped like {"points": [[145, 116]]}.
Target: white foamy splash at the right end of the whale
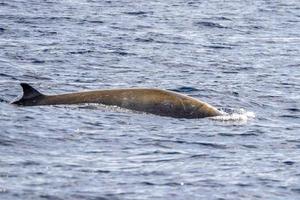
{"points": [[240, 115]]}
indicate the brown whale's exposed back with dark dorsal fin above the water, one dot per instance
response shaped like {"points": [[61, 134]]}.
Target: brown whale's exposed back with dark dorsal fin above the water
{"points": [[155, 101]]}
